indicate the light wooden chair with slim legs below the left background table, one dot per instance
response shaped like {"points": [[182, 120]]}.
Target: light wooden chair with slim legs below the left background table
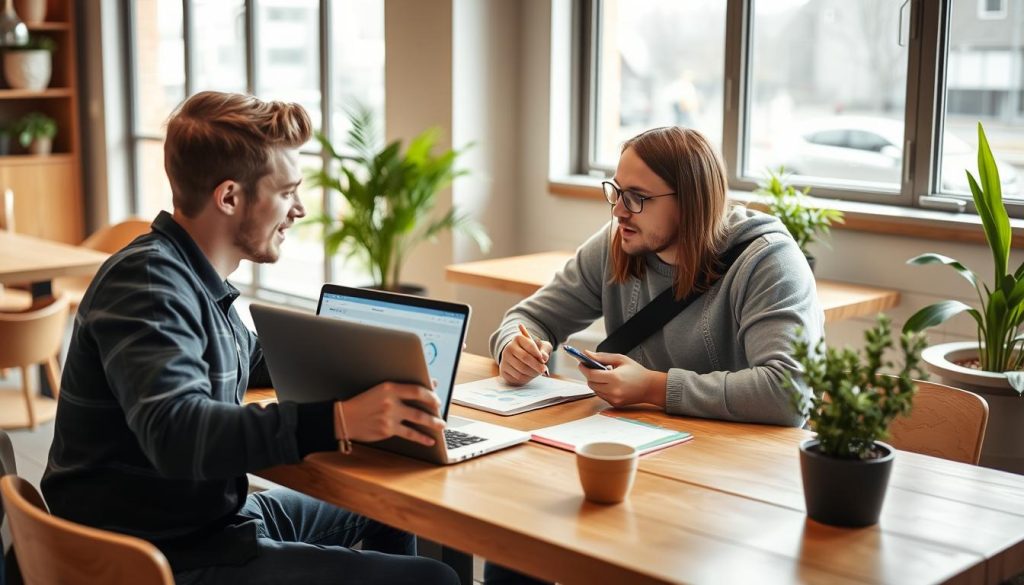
{"points": [[34, 337]]}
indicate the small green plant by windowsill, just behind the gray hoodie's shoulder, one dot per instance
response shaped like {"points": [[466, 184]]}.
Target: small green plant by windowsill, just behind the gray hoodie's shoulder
{"points": [[805, 223]]}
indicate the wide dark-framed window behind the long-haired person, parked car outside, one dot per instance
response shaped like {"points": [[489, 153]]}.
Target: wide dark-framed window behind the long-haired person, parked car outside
{"points": [[838, 93]]}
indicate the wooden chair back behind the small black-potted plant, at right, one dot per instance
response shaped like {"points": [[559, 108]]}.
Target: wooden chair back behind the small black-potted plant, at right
{"points": [[946, 423]]}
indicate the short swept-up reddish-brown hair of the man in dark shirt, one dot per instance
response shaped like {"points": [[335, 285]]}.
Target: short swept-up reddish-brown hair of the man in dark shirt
{"points": [[216, 137]]}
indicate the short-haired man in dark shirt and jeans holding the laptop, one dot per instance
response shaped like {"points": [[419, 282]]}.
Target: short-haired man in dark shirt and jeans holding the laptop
{"points": [[152, 439]]}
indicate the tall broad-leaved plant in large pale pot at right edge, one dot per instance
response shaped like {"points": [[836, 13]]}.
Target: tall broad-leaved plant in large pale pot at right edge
{"points": [[991, 366]]}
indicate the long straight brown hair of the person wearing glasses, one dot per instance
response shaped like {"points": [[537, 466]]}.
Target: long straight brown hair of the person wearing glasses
{"points": [[687, 161]]}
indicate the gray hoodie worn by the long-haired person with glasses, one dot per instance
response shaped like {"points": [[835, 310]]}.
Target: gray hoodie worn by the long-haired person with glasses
{"points": [[728, 354]]}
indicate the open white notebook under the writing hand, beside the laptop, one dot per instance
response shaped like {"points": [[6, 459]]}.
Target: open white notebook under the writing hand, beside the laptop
{"points": [[494, 395]]}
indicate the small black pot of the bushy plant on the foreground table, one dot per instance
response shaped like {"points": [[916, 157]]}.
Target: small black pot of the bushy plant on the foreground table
{"points": [[844, 492]]}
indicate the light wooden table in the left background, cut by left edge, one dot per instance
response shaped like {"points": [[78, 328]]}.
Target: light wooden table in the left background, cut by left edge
{"points": [[38, 262]]}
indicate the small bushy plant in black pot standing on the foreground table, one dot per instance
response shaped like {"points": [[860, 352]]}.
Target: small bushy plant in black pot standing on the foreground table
{"points": [[851, 402]]}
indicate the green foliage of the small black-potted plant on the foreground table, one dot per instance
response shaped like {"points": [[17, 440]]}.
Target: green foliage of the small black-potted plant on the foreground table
{"points": [[851, 401]]}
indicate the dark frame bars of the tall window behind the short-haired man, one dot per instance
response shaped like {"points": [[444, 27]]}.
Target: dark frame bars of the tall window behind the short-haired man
{"points": [[257, 287]]}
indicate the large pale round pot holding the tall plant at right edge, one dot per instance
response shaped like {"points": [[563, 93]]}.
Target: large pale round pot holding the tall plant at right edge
{"points": [[1004, 444]]}
